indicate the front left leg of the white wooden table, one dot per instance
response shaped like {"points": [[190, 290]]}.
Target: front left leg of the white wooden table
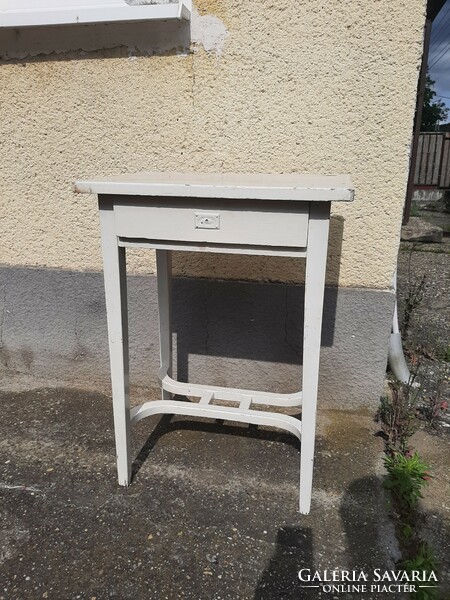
{"points": [[116, 310]]}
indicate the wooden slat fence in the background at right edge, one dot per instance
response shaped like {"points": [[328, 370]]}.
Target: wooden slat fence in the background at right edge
{"points": [[433, 161]]}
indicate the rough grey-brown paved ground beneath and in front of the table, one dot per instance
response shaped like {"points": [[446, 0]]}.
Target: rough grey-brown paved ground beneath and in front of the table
{"points": [[212, 512]]}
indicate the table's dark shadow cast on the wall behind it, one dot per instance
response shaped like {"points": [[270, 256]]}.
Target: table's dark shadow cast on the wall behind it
{"points": [[250, 321]]}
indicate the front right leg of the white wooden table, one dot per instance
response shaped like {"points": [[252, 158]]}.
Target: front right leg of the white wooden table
{"points": [[316, 258]]}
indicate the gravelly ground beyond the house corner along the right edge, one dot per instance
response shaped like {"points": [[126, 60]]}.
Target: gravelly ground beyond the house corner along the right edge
{"points": [[427, 346]]}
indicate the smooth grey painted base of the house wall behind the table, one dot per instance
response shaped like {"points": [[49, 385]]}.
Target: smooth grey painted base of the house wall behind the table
{"points": [[53, 324]]}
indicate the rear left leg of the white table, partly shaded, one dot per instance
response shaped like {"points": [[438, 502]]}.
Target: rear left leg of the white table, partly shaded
{"points": [[164, 275]]}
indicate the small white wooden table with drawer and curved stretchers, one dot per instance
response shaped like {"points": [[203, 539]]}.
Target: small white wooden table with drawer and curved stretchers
{"points": [[274, 215]]}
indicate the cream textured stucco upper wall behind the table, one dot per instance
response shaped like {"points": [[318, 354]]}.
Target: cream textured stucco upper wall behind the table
{"points": [[276, 87]]}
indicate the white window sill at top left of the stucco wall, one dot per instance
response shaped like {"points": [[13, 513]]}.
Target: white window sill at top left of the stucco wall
{"points": [[16, 13]]}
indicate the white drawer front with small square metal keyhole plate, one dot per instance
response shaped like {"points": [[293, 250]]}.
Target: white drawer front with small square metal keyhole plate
{"points": [[261, 223]]}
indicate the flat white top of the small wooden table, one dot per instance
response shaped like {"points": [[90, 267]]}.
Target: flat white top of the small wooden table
{"points": [[292, 186]]}
